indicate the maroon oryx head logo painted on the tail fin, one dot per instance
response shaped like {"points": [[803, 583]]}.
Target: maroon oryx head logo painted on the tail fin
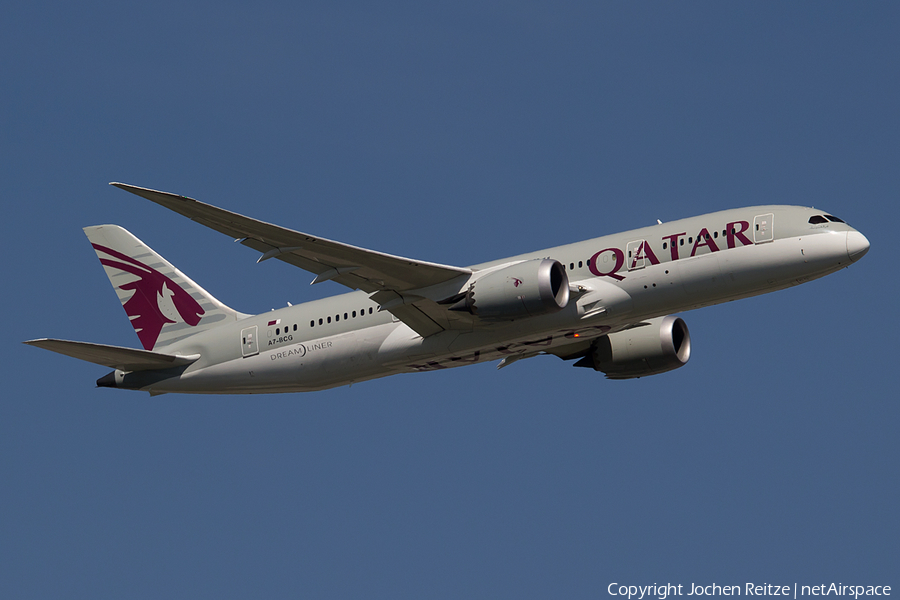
{"points": [[156, 300]]}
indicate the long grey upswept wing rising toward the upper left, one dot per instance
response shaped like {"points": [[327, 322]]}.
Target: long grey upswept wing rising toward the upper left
{"points": [[385, 276]]}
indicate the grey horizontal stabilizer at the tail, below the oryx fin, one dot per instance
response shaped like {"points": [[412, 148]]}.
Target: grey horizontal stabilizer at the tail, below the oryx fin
{"points": [[114, 357]]}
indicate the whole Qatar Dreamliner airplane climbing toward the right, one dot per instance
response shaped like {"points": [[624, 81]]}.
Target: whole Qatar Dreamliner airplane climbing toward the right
{"points": [[604, 303]]}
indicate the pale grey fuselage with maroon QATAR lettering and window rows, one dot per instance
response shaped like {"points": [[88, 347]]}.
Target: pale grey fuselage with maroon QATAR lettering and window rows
{"points": [[616, 280]]}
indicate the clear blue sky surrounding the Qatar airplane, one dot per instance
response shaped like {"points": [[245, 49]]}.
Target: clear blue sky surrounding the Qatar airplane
{"points": [[456, 133]]}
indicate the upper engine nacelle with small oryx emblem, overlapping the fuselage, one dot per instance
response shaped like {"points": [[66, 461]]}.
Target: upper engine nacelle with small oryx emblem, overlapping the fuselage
{"points": [[526, 289]]}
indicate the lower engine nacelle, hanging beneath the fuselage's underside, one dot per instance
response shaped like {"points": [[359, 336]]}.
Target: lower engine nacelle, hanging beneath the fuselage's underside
{"points": [[662, 345]]}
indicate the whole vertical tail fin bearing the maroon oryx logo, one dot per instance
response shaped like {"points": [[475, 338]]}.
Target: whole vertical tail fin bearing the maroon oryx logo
{"points": [[163, 303]]}
